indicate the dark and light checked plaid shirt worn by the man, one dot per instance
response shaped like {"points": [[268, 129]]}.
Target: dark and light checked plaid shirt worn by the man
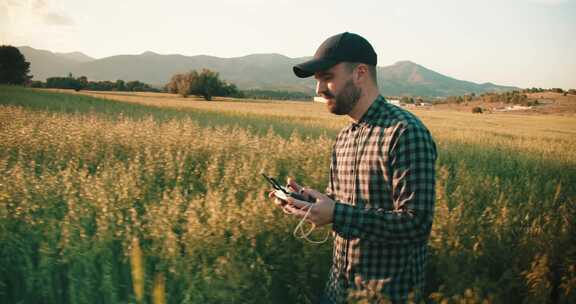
{"points": [[382, 179]]}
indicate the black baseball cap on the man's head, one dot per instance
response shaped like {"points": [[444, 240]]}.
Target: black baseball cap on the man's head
{"points": [[343, 47]]}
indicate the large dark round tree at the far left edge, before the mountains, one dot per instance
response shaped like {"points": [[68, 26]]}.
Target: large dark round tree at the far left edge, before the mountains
{"points": [[14, 68]]}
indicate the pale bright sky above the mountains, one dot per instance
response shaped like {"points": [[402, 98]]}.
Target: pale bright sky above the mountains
{"points": [[524, 43]]}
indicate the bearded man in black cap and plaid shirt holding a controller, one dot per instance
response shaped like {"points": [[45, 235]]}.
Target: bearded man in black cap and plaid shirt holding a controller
{"points": [[380, 197]]}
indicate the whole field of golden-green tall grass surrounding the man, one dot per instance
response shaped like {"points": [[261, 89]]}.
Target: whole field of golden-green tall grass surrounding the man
{"points": [[155, 199]]}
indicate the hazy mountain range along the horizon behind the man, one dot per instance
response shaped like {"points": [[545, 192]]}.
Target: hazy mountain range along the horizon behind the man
{"points": [[257, 71]]}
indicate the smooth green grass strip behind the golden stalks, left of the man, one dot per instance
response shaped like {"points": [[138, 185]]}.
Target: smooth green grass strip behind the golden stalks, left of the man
{"points": [[43, 100]]}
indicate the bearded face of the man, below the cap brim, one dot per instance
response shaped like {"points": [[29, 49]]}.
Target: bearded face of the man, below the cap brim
{"points": [[337, 87]]}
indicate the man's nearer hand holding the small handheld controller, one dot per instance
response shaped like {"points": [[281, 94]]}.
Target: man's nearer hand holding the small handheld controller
{"points": [[322, 211]]}
